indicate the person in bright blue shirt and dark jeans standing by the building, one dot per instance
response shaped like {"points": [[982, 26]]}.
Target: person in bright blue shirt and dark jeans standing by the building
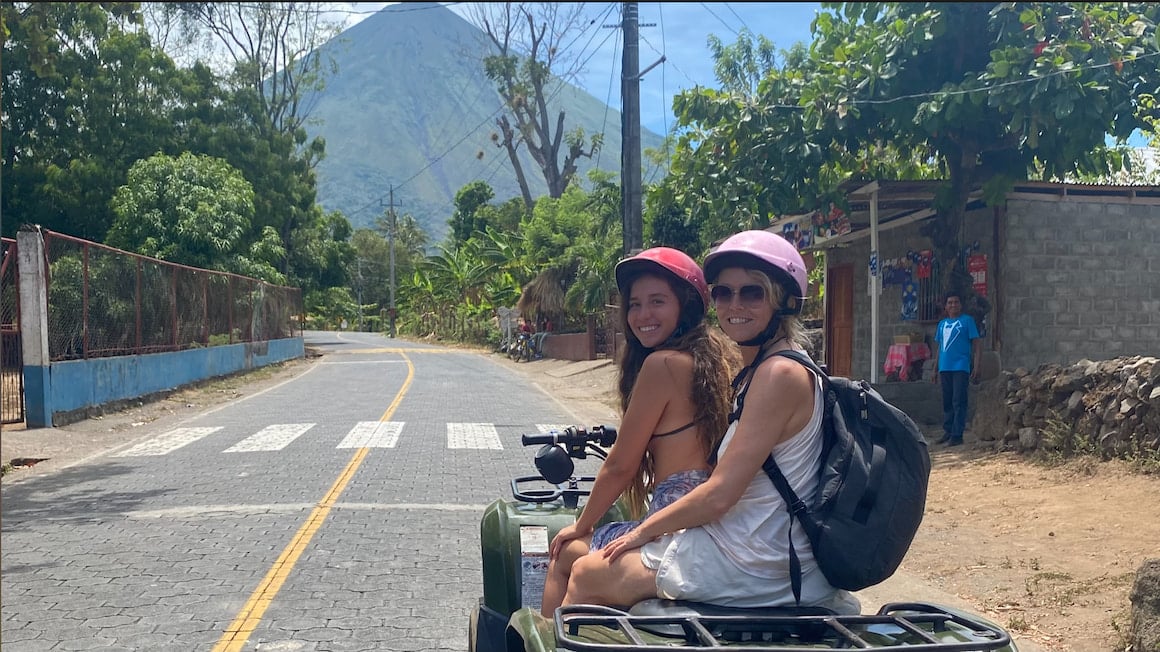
{"points": [[958, 360]]}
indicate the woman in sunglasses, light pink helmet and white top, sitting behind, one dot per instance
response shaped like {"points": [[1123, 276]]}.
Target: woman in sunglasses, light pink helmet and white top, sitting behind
{"points": [[728, 541]]}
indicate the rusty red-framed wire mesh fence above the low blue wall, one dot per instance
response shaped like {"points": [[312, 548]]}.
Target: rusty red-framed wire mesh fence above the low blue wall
{"points": [[106, 302]]}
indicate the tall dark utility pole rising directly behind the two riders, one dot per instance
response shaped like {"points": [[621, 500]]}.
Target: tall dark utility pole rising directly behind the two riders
{"points": [[630, 131]]}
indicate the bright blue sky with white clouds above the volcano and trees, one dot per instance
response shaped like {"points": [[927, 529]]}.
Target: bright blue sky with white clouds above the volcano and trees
{"points": [[680, 33]]}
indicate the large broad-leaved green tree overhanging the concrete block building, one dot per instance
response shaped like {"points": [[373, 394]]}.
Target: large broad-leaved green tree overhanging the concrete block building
{"points": [[991, 91]]}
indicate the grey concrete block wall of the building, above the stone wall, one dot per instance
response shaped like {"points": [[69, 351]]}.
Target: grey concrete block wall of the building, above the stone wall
{"points": [[1082, 280]]}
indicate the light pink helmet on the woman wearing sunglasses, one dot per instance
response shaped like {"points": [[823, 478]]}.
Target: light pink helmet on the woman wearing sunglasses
{"points": [[763, 250]]}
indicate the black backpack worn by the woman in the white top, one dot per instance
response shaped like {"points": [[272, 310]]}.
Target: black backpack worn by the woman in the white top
{"points": [[873, 486]]}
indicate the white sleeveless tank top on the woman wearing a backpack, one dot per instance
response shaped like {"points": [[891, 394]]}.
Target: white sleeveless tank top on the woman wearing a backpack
{"points": [[753, 533]]}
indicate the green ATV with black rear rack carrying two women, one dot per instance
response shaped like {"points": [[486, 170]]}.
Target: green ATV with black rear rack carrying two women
{"points": [[516, 535]]}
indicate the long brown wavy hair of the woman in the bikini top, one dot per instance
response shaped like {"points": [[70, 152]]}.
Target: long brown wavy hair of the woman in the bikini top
{"points": [[716, 360]]}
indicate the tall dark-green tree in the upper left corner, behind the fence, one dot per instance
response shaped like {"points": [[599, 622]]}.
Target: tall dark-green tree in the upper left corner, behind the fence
{"points": [[85, 96]]}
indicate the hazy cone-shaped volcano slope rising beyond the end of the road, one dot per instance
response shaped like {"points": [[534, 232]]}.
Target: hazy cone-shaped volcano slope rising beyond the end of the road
{"points": [[410, 106]]}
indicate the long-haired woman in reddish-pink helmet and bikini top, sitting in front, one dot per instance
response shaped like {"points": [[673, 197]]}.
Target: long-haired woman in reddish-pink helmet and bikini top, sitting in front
{"points": [[675, 387]]}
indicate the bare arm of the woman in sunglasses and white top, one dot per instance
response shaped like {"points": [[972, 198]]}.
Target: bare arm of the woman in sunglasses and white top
{"points": [[779, 404]]}
